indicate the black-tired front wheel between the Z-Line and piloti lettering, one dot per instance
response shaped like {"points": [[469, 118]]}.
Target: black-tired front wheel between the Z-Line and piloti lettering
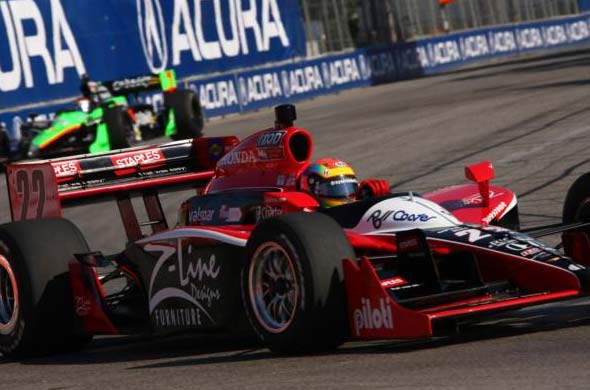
{"points": [[307, 249]]}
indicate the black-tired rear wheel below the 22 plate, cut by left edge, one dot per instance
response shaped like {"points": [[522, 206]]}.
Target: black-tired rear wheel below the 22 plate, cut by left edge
{"points": [[34, 269]]}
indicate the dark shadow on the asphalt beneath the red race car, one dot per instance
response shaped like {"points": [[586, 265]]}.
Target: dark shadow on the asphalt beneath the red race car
{"points": [[183, 351]]}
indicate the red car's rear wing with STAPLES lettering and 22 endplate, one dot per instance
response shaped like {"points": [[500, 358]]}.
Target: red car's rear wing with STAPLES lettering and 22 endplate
{"points": [[41, 189]]}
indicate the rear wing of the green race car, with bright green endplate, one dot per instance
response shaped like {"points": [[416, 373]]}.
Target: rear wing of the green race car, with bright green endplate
{"points": [[164, 81]]}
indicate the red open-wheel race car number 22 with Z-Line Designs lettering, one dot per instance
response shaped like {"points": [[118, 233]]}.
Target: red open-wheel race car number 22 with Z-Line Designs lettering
{"points": [[253, 248]]}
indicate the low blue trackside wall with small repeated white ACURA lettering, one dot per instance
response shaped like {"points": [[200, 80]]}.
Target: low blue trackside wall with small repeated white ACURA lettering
{"points": [[243, 91]]}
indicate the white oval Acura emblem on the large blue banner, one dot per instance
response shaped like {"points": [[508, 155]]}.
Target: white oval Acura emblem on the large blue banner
{"points": [[153, 34]]}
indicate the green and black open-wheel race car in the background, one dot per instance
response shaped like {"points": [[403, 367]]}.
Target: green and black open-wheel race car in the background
{"points": [[109, 115]]}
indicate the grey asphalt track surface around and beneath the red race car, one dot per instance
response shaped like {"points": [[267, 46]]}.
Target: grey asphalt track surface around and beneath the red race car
{"points": [[531, 118]]}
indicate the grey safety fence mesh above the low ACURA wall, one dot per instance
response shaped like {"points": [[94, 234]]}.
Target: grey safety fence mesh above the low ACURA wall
{"points": [[335, 25]]}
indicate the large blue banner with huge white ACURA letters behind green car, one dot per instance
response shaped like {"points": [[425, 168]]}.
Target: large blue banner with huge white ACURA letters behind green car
{"points": [[46, 44]]}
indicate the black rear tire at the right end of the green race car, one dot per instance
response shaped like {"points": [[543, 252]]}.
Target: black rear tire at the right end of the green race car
{"points": [[188, 113]]}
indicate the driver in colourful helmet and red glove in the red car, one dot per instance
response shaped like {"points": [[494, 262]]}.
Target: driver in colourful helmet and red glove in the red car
{"points": [[334, 183]]}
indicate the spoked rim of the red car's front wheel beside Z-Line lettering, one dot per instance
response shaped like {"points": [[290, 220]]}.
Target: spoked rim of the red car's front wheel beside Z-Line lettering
{"points": [[273, 288]]}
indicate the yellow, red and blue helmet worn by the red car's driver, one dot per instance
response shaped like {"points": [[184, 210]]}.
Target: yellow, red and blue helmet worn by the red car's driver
{"points": [[331, 181]]}
